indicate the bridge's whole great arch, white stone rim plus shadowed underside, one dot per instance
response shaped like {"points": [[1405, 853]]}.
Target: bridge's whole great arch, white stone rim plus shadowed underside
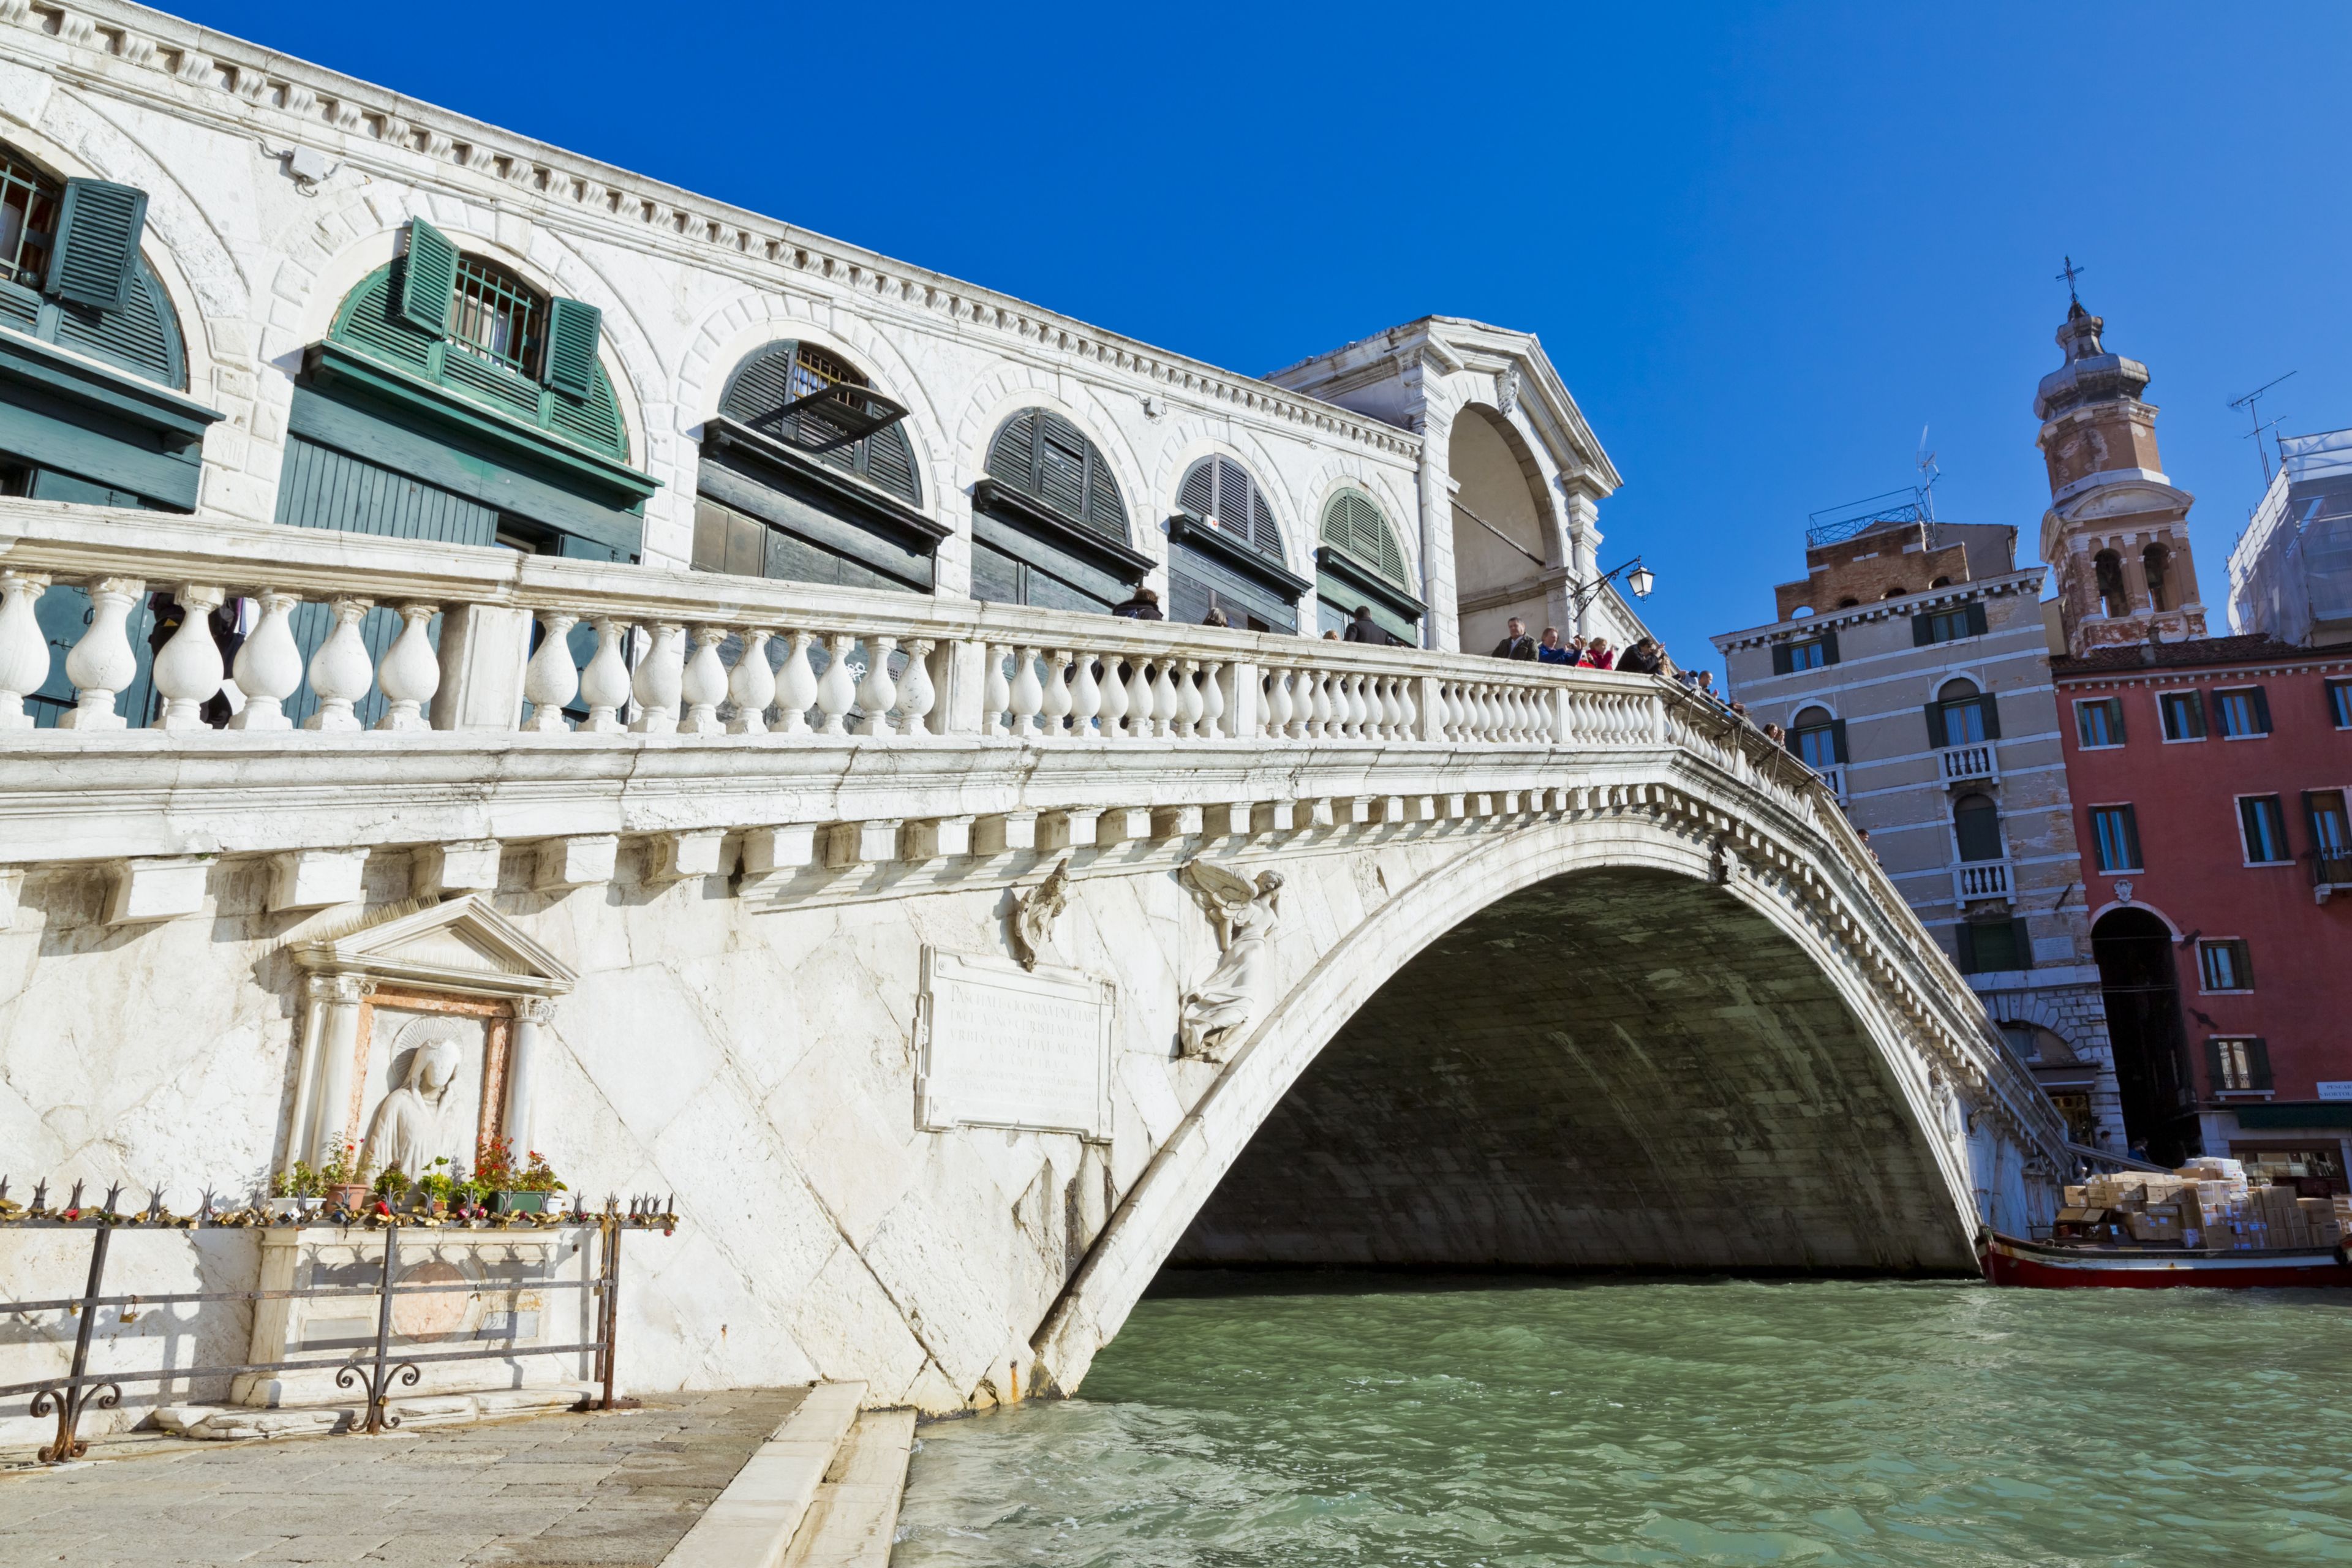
{"points": [[1568, 1050]]}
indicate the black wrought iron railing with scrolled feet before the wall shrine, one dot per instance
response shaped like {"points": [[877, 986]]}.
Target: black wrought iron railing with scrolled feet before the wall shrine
{"points": [[377, 1372]]}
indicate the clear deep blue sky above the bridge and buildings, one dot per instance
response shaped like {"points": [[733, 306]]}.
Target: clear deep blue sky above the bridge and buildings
{"points": [[1760, 243]]}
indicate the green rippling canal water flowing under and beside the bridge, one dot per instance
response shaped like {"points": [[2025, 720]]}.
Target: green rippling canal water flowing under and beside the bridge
{"points": [[1422, 1423]]}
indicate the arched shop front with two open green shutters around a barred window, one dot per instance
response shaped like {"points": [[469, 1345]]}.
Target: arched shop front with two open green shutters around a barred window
{"points": [[455, 403]]}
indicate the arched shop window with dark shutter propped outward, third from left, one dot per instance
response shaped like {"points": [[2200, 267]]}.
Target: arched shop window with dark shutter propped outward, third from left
{"points": [[808, 476]]}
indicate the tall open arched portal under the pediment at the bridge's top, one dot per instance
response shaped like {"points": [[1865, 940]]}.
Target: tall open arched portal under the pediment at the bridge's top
{"points": [[1502, 532]]}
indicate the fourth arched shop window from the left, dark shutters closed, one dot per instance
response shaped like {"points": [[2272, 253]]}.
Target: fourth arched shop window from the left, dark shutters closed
{"points": [[1048, 521]]}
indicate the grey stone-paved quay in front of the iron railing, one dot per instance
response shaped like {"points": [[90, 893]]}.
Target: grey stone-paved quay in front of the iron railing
{"points": [[615, 1492]]}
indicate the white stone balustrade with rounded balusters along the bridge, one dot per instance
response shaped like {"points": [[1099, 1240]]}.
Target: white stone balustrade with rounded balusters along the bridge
{"points": [[363, 634]]}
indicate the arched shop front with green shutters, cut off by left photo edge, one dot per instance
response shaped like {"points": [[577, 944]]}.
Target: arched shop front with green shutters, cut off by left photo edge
{"points": [[91, 387]]}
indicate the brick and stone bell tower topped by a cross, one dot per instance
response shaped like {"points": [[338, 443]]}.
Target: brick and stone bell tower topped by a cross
{"points": [[2118, 532]]}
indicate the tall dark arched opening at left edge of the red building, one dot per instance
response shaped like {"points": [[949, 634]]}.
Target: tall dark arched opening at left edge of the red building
{"points": [[2141, 989]]}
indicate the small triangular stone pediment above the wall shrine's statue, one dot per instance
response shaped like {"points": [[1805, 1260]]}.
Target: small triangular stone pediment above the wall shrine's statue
{"points": [[460, 946]]}
